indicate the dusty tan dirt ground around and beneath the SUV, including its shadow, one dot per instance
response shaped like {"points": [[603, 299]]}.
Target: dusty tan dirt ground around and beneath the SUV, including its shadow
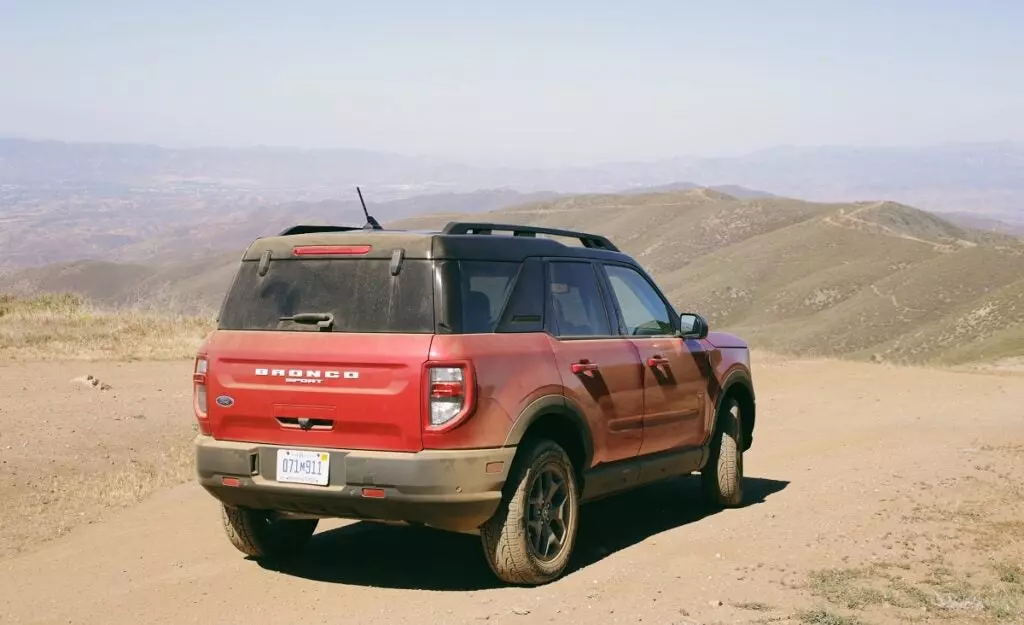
{"points": [[877, 495]]}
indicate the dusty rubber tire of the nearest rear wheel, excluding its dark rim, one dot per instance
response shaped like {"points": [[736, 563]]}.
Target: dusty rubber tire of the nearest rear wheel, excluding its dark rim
{"points": [[505, 536]]}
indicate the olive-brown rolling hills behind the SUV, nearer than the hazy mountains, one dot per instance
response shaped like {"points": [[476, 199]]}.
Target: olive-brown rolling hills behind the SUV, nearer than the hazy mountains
{"points": [[871, 280]]}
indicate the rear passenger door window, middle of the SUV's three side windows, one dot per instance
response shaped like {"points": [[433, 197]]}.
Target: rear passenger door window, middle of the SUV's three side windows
{"points": [[576, 301]]}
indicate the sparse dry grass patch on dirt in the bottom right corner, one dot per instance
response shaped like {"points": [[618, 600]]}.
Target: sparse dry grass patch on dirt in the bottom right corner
{"points": [[960, 553]]}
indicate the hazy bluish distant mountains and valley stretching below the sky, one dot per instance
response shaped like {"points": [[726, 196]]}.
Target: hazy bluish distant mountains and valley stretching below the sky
{"points": [[65, 202]]}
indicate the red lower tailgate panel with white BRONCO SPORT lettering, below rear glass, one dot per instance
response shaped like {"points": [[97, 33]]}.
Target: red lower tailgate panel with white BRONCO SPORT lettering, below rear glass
{"points": [[318, 389]]}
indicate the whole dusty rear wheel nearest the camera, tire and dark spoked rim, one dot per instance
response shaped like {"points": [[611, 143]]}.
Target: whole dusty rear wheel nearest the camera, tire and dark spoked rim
{"points": [[531, 537]]}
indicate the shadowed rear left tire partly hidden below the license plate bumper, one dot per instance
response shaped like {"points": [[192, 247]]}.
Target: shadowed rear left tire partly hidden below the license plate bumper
{"points": [[263, 535]]}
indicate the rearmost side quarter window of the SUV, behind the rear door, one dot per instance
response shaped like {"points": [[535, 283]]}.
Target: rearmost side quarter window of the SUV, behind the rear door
{"points": [[486, 286]]}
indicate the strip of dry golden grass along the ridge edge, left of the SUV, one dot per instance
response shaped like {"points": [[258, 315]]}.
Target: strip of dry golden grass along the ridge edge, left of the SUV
{"points": [[67, 327]]}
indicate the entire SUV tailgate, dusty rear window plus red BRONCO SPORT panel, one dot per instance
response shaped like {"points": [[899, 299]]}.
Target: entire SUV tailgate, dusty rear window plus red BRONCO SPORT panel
{"points": [[352, 382]]}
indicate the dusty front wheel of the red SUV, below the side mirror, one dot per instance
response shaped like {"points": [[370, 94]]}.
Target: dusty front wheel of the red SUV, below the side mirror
{"points": [[722, 478]]}
